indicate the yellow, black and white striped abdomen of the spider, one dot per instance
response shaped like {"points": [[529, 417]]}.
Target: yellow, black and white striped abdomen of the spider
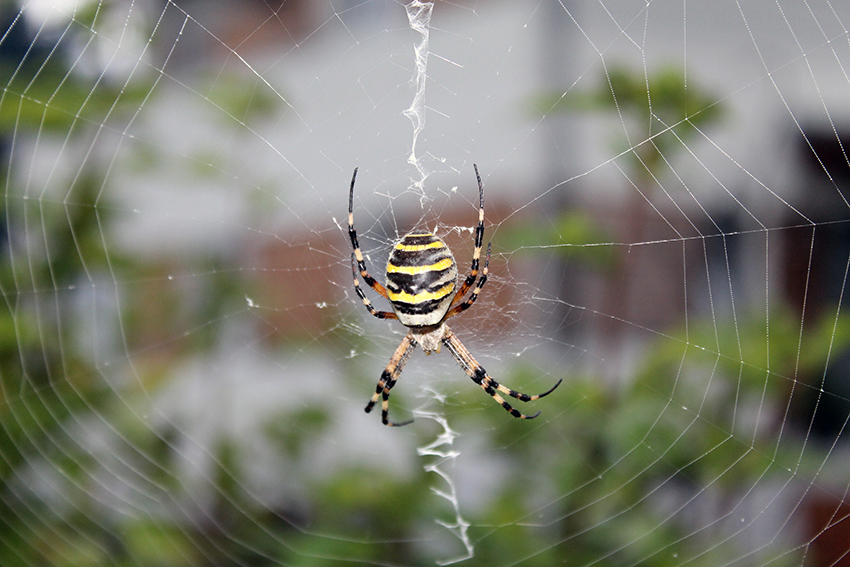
{"points": [[421, 278]]}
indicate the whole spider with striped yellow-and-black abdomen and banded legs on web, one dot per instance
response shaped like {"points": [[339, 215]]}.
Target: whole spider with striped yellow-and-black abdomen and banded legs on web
{"points": [[421, 278]]}
